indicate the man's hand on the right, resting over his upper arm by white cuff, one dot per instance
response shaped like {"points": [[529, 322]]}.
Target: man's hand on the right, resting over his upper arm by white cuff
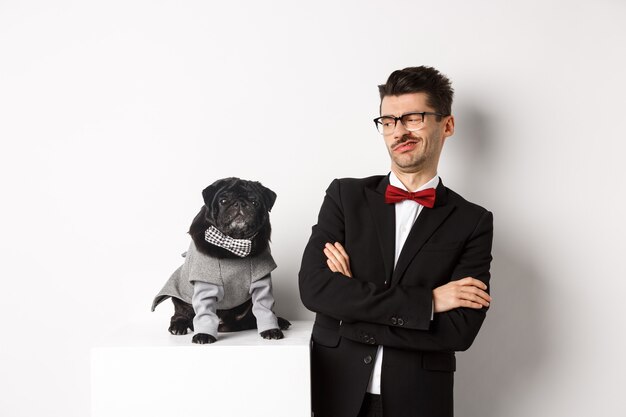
{"points": [[466, 292]]}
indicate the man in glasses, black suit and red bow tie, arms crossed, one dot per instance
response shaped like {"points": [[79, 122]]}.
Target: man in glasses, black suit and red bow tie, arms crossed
{"points": [[397, 268]]}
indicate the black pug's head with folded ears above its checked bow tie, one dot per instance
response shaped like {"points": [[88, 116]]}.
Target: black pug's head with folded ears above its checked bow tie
{"points": [[238, 208]]}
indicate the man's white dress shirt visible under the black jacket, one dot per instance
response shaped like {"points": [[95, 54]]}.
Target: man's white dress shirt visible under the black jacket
{"points": [[406, 214]]}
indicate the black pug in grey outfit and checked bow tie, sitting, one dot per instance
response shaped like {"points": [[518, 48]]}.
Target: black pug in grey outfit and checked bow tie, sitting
{"points": [[225, 284]]}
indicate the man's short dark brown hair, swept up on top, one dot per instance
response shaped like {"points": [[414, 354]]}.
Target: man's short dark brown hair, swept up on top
{"points": [[437, 87]]}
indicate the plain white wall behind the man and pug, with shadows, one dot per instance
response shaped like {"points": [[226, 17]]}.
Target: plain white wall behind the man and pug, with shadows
{"points": [[115, 115]]}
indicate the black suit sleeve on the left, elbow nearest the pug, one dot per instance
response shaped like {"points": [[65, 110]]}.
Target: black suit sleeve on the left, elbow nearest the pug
{"points": [[351, 299]]}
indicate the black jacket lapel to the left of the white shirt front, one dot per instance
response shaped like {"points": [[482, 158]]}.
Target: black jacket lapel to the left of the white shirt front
{"points": [[384, 218]]}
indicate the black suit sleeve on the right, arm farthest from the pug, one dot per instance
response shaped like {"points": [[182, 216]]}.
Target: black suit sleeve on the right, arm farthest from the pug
{"points": [[453, 330]]}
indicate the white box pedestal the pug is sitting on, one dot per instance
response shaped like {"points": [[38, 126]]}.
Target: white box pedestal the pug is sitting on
{"points": [[142, 370]]}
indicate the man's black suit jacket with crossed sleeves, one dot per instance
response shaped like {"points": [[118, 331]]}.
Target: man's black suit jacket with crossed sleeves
{"points": [[381, 305]]}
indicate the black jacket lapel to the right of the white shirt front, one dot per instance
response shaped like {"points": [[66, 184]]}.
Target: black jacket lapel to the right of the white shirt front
{"points": [[427, 222]]}
